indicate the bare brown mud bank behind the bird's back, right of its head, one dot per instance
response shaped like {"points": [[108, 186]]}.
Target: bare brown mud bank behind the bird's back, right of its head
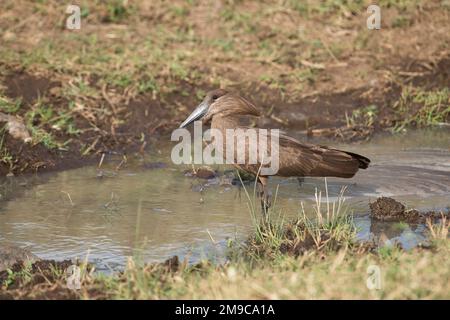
{"points": [[326, 114]]}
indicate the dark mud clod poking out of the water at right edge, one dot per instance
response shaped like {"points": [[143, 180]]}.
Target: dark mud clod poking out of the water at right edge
{"points": [[388, 209]]}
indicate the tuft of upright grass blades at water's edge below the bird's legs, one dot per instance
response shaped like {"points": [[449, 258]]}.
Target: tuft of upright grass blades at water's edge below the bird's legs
{"points": [[329, 228]]}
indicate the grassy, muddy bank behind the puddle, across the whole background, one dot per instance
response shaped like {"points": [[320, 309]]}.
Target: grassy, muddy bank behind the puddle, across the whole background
{"points": [[116, 84]]}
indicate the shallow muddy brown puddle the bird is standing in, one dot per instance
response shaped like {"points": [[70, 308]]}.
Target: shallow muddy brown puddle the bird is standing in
{"points": [[150, 210]]}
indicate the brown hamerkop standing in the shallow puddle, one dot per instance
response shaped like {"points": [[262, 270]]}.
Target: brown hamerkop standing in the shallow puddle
{"points": [[296, 159]]}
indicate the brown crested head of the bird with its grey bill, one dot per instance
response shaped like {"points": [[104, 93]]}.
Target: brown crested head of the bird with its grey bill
{"points": [[220, 103]]}
